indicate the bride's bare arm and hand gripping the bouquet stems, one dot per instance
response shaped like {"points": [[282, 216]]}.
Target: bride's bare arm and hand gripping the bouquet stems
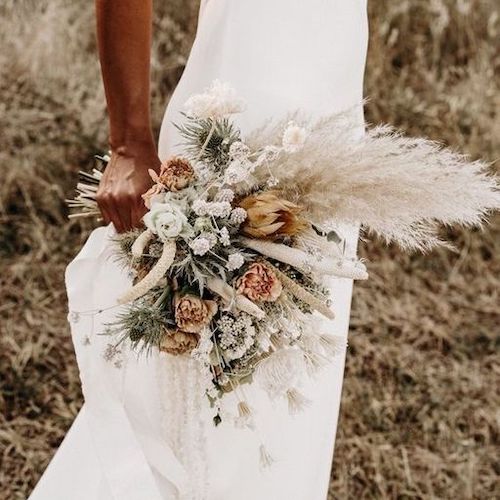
{"points": [[124, 39]]}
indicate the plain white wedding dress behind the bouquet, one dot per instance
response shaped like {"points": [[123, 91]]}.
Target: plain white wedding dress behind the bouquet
{"points": [[145, 431]]}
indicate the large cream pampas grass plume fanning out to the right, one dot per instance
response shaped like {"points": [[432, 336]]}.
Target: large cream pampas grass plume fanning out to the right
{"points": [[400, 188]]}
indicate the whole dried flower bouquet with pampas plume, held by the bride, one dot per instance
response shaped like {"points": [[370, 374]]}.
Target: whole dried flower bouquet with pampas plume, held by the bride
{"points": [[240, 232]]}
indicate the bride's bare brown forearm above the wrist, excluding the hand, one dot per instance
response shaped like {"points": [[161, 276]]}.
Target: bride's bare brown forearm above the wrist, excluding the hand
{"points": [[124, 39]]}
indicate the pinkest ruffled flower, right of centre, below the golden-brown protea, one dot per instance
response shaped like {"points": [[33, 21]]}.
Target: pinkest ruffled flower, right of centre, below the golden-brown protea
{"points": [[259, 283]]}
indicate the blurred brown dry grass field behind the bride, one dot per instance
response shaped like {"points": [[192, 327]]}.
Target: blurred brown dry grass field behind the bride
{"points": [[419, 415]]}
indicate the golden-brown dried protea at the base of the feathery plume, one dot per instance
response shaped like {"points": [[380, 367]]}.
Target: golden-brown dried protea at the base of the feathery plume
{"points": [[269, 216]]}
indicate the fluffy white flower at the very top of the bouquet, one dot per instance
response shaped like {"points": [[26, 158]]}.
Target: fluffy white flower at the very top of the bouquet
{"points": [[219, 100]]}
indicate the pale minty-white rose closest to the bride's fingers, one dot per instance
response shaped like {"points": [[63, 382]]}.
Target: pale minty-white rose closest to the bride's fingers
{"points": [[167, 221]]}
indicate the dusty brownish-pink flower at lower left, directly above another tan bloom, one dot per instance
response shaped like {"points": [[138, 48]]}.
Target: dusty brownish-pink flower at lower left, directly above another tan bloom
{"points": [[192, 313]]}
